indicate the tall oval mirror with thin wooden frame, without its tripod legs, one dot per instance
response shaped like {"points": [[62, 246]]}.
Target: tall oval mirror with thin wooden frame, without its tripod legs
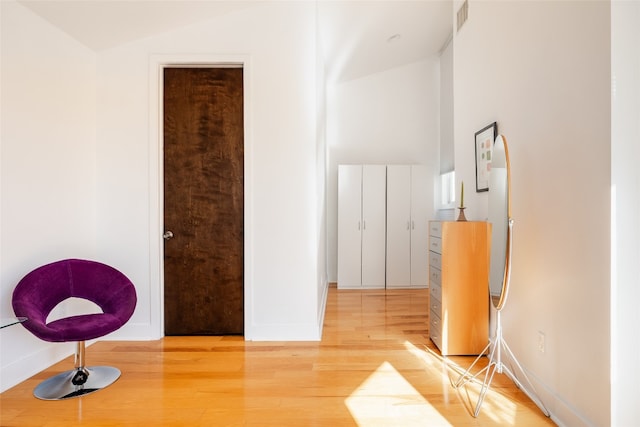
{"points": [[500, 218]]}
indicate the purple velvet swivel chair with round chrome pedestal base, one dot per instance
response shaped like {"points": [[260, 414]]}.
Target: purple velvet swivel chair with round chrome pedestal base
{"points": [[40, 291]]}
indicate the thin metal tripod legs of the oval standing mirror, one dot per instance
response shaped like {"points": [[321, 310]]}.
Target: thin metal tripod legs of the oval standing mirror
{"points": [[497, 346]]}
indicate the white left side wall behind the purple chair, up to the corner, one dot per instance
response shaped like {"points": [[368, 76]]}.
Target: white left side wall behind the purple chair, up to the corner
{"points": [[47, 169]]}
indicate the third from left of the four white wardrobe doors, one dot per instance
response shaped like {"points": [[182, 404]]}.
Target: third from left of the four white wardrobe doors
{"points": [[398, 226]]}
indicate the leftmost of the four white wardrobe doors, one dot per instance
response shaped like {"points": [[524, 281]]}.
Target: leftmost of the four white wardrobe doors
{"points": [[349, 226]]}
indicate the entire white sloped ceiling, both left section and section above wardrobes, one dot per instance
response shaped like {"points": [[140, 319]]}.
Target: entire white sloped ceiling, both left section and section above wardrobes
{"points": [[357, 37]]}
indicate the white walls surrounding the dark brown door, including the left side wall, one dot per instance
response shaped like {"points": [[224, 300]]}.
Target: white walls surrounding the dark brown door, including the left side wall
{"points": [[81, 166]]}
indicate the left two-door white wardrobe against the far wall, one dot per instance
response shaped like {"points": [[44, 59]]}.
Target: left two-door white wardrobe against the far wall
{"points": [[361, 226]]}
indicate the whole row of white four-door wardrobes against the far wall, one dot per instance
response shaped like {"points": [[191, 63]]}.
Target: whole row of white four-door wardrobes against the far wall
{"points": [[382, 226]]}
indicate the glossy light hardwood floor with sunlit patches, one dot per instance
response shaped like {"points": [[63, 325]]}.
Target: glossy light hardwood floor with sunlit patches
{"points": [[375, 366]]}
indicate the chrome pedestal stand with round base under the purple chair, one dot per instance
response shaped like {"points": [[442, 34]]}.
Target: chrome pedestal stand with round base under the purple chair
{"points": [[77, 382]]}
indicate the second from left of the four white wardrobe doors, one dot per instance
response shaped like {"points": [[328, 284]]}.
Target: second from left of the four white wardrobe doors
{"points": [[373, 225]]}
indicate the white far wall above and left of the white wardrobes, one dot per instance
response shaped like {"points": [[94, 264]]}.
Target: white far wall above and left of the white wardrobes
{"points": [[385, 118]]}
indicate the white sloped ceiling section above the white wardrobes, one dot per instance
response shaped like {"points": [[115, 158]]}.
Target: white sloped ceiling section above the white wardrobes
{"points": [[364, 37]]}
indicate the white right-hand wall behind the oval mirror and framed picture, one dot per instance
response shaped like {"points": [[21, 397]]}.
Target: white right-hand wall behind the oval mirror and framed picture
{"points": [[549, 91]]}
